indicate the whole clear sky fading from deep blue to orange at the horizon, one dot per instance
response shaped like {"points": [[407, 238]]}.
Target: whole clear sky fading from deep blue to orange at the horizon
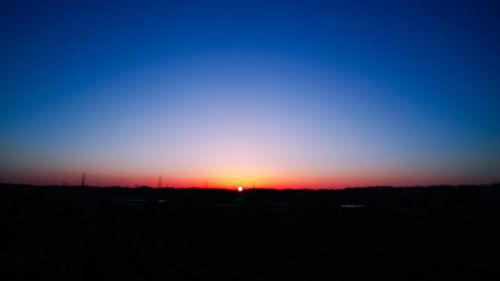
{"points": [[275, 94]]}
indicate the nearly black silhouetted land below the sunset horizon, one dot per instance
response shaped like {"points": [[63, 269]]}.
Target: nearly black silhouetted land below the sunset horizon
{"points": [[69, 233]]}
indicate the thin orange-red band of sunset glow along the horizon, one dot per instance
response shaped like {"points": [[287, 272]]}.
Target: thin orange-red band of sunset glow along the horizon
{"points": [[252, 178]]}
